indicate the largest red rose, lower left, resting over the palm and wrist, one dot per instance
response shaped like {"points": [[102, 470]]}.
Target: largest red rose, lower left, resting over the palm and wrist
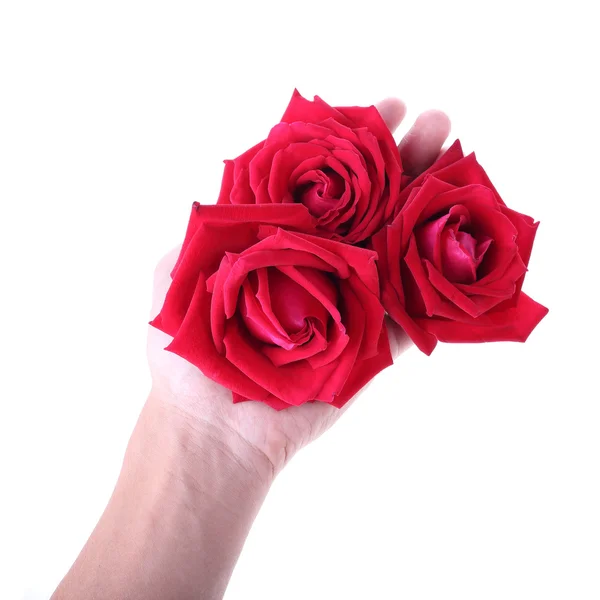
{"points": [[275, 315]]}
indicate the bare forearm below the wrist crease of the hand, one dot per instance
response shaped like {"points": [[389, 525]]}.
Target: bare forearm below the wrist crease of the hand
{"points": [[178, 518]]}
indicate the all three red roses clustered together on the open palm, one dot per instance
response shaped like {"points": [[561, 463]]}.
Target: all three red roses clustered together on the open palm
{"points": [[281, 288]]}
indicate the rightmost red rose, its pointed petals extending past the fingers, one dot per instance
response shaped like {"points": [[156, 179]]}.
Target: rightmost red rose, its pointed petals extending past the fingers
{"points": [[453, 260]]}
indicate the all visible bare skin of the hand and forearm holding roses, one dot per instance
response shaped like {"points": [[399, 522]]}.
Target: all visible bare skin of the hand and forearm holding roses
{"points": [[198, 467]]}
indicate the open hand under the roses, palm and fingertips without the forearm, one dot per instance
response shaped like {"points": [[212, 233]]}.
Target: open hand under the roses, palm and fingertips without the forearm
{"points": [[253, 431]]}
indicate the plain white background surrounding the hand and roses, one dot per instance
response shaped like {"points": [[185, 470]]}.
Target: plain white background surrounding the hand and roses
{"points": [[473, 474]]}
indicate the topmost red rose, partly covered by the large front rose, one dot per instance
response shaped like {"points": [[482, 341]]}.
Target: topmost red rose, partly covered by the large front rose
{"points": [[341, 163]]}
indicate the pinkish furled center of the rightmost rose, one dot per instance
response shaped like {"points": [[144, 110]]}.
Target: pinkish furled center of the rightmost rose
{"points": [[450, 243]]}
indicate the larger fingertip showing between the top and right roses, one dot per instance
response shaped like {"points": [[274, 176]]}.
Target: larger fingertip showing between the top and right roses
{"points": [[422, 144]]}
